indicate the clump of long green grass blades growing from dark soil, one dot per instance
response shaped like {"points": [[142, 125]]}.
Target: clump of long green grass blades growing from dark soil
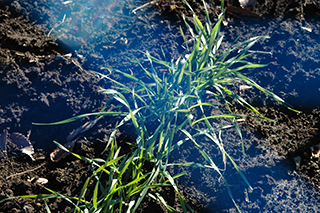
{"points": [[168, 100]]}
